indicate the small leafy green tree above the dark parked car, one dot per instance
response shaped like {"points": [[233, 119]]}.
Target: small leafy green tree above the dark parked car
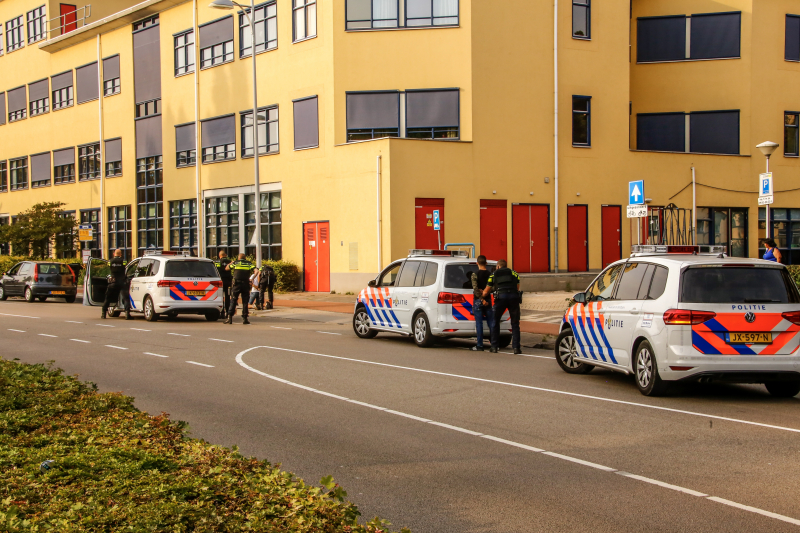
{"points": [[35, 229]]}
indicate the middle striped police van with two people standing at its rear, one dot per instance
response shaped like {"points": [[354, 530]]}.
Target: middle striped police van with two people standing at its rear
{"points": [[427, 295]]}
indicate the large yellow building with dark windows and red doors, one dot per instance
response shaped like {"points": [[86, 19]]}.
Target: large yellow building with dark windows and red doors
{"points": [[513, 126]]}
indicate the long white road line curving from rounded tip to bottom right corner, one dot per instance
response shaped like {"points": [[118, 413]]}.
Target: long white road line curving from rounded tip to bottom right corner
{"points": [[240, 361]]}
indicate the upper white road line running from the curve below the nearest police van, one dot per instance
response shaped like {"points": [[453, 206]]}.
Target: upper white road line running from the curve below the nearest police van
{"points": [[542, 389]]}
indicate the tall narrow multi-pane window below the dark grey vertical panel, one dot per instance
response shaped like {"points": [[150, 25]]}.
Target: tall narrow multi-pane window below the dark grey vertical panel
{"points": [[149, 183]]}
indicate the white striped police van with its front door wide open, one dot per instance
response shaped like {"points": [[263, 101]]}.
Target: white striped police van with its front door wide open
{"points": [[162, 283]]}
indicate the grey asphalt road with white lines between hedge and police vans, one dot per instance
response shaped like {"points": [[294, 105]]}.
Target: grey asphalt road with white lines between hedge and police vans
{"points": [[442, 439]]}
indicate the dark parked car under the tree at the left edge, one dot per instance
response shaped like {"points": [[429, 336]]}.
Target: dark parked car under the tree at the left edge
{"points": [[40, 280]]}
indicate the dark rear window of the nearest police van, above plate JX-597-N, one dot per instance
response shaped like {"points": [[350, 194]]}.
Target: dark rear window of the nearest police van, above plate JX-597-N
{"points": [[738, 285]]}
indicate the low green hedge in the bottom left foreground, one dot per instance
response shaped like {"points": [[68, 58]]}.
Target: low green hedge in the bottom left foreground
{"points": [[119, 469]]}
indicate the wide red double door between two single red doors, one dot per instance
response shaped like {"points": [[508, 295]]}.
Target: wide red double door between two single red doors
{"points": [[530, 227]]}
